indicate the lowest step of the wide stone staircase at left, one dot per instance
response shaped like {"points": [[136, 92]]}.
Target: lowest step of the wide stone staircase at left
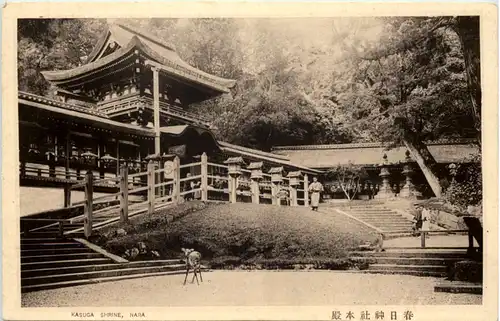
{"points": [[55, 285]]}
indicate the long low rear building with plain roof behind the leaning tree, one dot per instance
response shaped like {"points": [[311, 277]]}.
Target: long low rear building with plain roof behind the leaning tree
{"points": [[391, 170]]}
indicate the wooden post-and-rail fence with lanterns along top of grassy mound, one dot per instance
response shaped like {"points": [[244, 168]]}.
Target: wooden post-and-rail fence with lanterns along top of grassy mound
{"points": [[160, 187]]}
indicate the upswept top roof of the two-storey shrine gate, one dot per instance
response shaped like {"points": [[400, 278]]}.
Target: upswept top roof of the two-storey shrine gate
{"points": [[131, 39]]}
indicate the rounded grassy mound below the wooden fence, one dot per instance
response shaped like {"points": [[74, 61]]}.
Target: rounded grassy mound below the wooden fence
{"points": [[246, 235]]}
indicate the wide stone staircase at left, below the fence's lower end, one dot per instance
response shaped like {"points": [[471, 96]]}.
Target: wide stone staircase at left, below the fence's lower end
{"points": [[50, 262]]}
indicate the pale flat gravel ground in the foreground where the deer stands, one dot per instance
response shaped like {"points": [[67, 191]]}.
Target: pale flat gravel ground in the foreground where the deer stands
{"points": [[257, 288]]}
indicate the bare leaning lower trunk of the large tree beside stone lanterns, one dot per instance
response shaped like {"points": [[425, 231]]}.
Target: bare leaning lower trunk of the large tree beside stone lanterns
{"points": [[426, 162]]}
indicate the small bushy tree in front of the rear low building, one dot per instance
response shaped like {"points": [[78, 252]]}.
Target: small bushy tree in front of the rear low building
{"points": [[348, 177]]}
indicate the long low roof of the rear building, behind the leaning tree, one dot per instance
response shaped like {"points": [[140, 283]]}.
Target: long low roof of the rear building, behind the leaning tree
{"points": [[370, 154]]}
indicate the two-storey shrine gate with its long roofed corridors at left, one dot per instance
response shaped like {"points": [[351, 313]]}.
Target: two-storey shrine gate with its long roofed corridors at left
{"points": [[126, 104]]}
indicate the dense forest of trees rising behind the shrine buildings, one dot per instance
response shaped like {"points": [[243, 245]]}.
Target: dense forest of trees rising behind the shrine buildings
{"points": [[401, 80]]}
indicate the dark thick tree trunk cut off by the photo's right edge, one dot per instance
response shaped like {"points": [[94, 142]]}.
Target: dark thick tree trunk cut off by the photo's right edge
{"points": [[467, 28]]}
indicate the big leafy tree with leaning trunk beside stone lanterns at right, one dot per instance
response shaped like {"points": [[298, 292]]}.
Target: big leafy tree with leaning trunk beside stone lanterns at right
{"points": [[412, 88]]}
